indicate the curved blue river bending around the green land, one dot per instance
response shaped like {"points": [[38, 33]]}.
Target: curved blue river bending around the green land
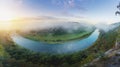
{"points": [[67, 47]]}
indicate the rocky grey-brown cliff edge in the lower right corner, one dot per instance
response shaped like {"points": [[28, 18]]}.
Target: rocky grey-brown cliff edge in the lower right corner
{"points": [[110, 58]]}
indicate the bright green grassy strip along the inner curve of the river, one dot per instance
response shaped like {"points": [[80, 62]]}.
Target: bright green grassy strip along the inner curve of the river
{"points": [[57, 39]]}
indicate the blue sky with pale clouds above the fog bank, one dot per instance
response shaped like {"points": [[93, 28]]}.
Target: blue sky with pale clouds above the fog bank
{"points": [[91, 11]]}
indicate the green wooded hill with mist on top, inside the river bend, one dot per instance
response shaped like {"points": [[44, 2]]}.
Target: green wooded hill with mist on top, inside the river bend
{"points": [[59, 32]]}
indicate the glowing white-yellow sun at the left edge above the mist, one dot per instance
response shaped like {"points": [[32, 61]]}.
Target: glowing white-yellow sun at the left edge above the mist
{"points": [[6, 16]]}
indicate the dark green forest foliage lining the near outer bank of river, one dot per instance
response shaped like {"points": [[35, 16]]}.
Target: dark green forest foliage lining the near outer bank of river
{"points": [[21, 57]]}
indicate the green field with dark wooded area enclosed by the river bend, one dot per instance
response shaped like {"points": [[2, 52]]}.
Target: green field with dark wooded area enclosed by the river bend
{"points": [[59, 34]]}
